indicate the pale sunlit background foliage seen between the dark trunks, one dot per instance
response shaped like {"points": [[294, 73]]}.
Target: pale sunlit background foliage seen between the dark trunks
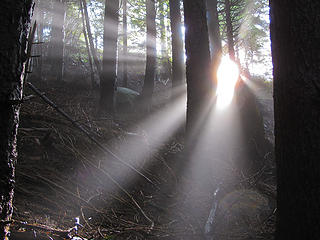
{"points": [[60, 28]]}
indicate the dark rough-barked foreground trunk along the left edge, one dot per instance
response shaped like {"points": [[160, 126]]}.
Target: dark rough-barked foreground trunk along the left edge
{"points": [[15, 18]]}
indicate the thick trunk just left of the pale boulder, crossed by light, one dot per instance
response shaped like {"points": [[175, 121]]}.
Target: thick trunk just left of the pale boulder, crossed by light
{"points": [[109, 62]]}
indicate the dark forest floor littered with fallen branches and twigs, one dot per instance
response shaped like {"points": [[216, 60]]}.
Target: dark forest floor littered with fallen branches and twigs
{"points": [[61, 175]]}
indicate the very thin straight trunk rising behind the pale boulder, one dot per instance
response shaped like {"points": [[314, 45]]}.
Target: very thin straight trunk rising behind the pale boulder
{"points": [[125, 45]]}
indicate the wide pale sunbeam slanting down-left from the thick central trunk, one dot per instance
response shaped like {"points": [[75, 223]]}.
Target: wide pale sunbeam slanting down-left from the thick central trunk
{"points": [[158, 128]]}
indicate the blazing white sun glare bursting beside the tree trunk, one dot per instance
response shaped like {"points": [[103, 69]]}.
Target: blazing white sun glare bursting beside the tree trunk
{"points": [[228, 73]]}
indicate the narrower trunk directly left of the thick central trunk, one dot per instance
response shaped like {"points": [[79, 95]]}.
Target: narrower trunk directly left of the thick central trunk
{"points": [[177, 43]]}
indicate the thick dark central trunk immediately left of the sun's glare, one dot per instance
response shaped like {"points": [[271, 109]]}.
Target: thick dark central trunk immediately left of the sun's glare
{"points": [[199, 85]]}
